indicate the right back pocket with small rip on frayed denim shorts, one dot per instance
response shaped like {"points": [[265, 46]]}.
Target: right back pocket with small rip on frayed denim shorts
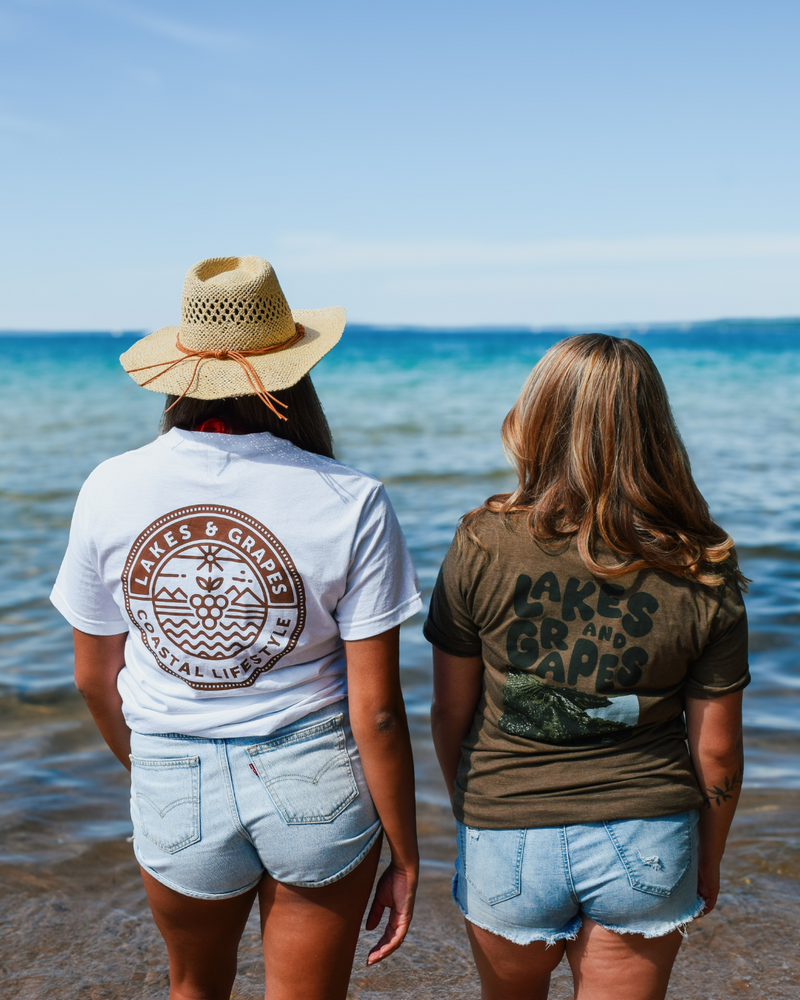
{"points": [[656, 853]]}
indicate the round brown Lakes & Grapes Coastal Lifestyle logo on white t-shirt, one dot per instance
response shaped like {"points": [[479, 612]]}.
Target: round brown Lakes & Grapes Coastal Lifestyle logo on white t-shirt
{"points": [[215, 595]]}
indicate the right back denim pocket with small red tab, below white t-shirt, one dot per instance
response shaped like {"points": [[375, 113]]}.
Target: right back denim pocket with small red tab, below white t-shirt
{"points": [[307, 773]]}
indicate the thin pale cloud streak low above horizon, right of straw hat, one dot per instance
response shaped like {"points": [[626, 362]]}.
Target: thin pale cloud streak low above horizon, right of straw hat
{"points": [[311, 251]]}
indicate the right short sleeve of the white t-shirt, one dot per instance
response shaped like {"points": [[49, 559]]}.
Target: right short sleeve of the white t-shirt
{"points": [[382, 589]]}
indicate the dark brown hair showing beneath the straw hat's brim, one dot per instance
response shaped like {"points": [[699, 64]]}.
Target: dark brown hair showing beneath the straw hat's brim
{"points": [[306, 425]]}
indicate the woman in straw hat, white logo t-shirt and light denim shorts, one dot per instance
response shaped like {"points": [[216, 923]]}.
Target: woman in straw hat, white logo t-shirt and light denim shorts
{"points": [[236, 597]]}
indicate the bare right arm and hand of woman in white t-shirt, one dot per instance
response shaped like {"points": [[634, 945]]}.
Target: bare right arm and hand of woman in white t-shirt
{"points": [[378, 720]]}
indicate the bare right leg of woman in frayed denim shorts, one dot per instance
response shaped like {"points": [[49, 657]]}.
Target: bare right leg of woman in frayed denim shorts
{"points": [[607, 966]]}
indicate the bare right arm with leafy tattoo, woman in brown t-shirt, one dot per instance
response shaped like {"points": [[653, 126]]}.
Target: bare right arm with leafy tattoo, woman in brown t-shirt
{"points": [[714, 729]]}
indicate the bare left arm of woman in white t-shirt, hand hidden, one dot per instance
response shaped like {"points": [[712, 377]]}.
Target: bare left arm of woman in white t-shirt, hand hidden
{"points": [[98, 661]]}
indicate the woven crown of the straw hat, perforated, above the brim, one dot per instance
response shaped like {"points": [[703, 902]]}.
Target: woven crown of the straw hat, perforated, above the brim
{"points": [[234, 303]]}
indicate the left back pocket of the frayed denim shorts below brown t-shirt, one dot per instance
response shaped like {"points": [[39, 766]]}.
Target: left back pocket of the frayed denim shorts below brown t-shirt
{"points": [[491, 861]]}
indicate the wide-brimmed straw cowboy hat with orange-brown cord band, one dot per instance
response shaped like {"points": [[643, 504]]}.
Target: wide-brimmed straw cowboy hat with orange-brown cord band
{"points": [[237, 336]]}
